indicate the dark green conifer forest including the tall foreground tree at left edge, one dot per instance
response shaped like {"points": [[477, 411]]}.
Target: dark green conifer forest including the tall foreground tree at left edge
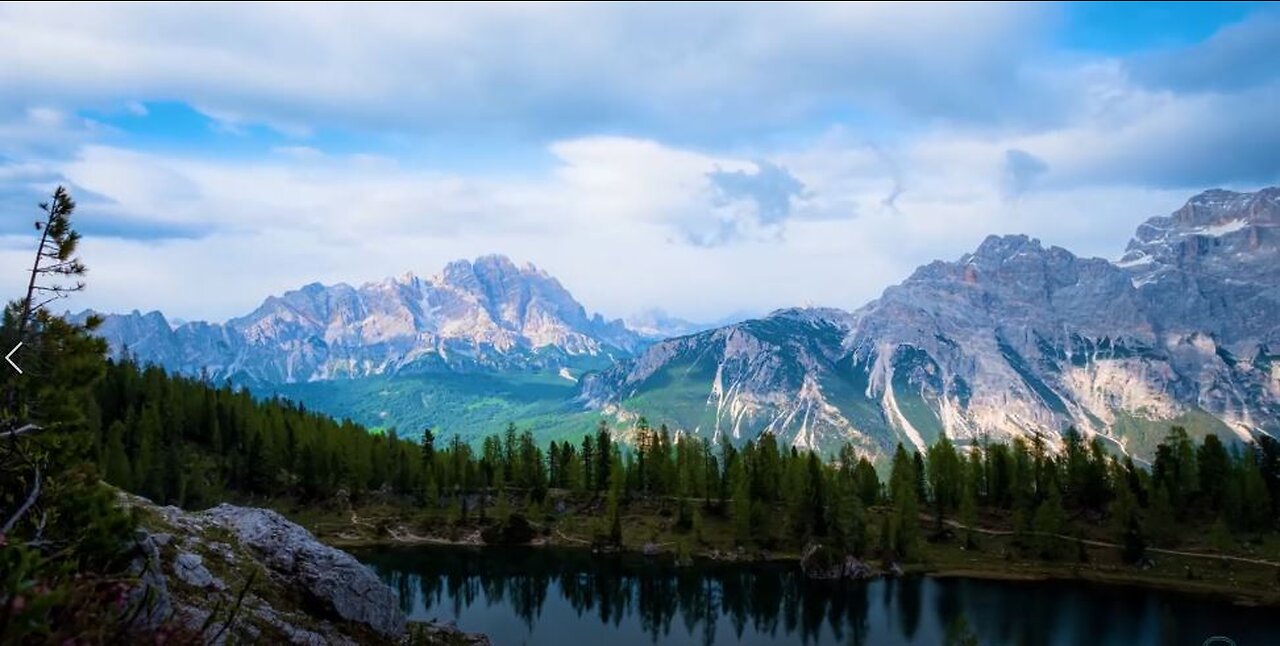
{"points": [[75, 419]]}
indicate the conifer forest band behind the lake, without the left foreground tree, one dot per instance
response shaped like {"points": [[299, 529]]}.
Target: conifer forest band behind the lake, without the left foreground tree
{"points": [[184, 442]]}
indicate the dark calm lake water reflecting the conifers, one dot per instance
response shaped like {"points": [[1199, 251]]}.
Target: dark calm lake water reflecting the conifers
{"points": [[554, 597]]}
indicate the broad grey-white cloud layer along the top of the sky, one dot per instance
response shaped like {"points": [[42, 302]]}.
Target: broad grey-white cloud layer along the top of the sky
{"points": [[548, 71]]}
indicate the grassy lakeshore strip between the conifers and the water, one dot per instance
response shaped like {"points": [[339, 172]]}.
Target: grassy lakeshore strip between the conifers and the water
{"points": [[653, 524]]}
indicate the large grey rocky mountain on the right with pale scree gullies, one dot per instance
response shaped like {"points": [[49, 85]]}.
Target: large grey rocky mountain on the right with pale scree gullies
{"points": [[1012, 340]]}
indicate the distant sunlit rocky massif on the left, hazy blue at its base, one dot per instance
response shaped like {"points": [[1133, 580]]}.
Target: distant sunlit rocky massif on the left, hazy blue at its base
{"points": [[488, 314]]}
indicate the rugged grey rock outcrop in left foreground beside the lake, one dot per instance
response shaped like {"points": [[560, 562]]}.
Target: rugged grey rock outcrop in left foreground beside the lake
{"points": [[195, 566]]}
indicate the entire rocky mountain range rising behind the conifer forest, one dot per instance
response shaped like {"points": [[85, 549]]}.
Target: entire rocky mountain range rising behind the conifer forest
{"points": [[1011, 340]]}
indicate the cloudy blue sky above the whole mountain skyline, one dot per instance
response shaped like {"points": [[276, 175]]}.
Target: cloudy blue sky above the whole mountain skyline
{"points": [[702, 159]]}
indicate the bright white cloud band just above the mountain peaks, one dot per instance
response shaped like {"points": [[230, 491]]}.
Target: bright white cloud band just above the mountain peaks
{"points": [[610, 219]]}
